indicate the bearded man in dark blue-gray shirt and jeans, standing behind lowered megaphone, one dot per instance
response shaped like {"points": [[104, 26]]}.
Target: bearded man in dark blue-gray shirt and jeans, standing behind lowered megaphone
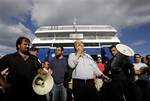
{"points": [[59, 66]]}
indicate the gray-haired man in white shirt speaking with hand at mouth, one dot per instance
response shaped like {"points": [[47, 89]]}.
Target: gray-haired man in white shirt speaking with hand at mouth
{"points": [[85, 70]]}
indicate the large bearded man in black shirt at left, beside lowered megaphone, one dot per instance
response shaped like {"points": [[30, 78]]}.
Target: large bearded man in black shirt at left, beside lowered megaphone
{"points": [[22, 67]]}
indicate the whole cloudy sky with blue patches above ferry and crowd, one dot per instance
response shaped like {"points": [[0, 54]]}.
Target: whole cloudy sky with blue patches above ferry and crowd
{"points": [[22, 17]]}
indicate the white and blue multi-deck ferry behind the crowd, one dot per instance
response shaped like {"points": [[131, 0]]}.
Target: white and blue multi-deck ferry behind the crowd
{"points": [[97, 39]]}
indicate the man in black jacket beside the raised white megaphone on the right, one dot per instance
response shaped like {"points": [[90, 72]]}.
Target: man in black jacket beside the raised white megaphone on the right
{"points": [[121, 71]]}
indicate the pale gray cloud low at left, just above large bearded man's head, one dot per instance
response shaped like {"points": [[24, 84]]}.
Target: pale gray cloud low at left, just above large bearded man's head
{"points": [[10, 33]]}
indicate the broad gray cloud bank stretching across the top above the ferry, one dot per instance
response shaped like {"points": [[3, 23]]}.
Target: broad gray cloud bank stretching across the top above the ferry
{"points": [[114, 12]]}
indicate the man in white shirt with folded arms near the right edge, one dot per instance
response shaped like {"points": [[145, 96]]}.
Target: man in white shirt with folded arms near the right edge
{"points": [[141, 77]]}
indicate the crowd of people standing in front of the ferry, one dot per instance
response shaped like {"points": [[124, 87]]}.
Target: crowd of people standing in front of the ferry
{"points": [[76, 76]]}
